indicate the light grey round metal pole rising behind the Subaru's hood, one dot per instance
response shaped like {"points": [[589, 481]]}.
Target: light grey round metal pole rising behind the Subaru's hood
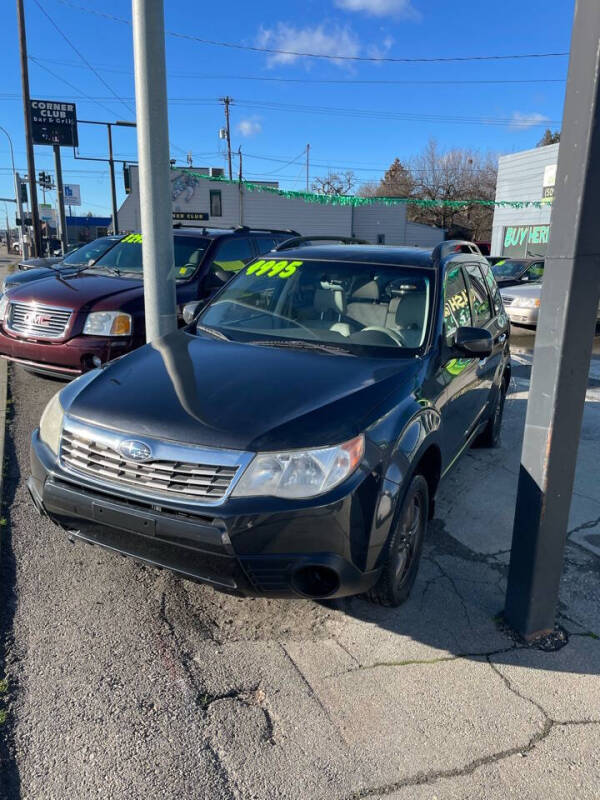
{"points": [[154, 177]]}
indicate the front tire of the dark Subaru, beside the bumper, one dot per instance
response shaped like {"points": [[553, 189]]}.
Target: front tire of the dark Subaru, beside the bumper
{"points": [[404, 547]]}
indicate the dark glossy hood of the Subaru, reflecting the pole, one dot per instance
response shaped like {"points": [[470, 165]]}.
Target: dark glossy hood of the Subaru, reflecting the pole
{"points": [[207, 392]]}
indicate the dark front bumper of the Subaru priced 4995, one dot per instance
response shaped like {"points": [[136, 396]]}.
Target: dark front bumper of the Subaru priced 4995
{"points": [[313, 551]]}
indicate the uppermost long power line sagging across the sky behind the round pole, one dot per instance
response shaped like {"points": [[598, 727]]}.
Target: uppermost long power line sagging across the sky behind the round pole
{"points": [[331, 57]]}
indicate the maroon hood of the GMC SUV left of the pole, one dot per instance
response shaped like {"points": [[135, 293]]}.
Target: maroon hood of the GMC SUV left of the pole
{"points": [[76, 291]]}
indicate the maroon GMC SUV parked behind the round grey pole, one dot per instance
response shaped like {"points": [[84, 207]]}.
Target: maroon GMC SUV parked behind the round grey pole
{"points": [[64, 326]]}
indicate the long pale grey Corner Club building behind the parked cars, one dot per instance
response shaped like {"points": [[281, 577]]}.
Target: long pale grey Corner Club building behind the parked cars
{"points": [[199, 201]]}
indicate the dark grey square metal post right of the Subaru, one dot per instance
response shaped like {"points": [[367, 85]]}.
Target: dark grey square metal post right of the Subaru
{"points": [[563, 345]]}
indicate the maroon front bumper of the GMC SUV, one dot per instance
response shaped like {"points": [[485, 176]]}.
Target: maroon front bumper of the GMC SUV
{"points": [[67, 359]]}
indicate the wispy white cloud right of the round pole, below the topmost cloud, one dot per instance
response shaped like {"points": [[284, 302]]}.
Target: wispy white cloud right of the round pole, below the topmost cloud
{"points": [[321, 40]]}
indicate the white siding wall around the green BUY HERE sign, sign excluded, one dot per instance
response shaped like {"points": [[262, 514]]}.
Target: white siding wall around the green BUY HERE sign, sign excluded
{"points": [[521, 177]]}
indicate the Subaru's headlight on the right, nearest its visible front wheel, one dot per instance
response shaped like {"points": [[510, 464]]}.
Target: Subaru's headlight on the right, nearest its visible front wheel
{"points": [[300, 473]]}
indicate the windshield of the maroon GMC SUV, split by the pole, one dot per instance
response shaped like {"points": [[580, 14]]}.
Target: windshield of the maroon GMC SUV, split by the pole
{"points": [[127, 255]]}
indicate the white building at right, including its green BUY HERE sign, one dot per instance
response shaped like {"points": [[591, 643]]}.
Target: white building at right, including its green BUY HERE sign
{"points": [[528, 175]]}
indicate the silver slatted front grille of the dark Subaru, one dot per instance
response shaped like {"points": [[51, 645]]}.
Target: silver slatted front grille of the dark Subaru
{"points": [[167, 478]]}
